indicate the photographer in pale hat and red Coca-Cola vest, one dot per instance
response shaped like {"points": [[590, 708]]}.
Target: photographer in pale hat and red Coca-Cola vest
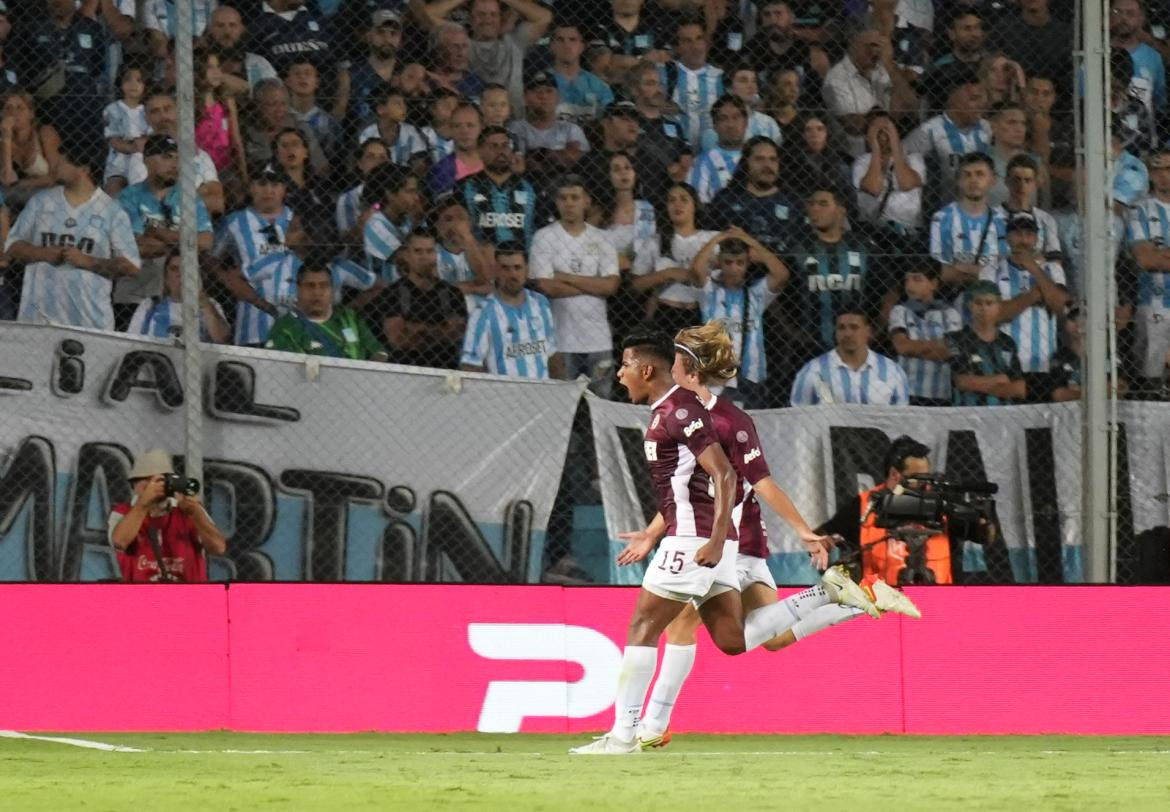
{"points": [[154, 526]]}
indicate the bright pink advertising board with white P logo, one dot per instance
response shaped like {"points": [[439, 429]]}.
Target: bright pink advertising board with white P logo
{"points": [[347, 658]]}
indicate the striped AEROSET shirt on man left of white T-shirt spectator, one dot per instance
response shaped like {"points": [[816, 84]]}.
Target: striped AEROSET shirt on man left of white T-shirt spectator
{"points": [[517, 341]]}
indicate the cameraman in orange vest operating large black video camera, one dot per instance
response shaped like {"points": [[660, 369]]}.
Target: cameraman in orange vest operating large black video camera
{"points": [[883, 556]]}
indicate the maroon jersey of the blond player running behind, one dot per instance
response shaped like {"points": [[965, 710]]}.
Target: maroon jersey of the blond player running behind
{"points": [[738, 436]]}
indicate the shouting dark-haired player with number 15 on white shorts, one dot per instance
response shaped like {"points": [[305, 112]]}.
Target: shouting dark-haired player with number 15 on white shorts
{"points": [[696, 488]]}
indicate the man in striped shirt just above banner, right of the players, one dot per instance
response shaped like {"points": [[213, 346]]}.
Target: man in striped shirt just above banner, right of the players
{"points": [[851, 373]]}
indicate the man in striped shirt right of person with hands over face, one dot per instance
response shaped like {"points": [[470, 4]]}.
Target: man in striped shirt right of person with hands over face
{"points": [[960, 130]]}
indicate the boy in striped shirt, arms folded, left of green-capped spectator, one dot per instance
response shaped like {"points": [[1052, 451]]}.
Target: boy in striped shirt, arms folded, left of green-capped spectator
{"points": [[918, 327]]}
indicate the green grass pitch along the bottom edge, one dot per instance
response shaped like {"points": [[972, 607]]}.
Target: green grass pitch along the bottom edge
{"points": [[226, 772]]}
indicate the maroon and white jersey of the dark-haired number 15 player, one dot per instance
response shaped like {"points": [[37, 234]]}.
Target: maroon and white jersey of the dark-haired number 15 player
{"points": [[680, 431]]}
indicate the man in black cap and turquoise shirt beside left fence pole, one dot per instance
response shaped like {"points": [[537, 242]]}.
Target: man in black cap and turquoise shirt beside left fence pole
{"points": [[154, 211]]}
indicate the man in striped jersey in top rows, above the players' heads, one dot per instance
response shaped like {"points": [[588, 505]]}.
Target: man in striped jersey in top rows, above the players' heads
{"points": [[692, 84]]}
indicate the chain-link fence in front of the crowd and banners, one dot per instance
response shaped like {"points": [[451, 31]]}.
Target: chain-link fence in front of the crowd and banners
{"points": [[880, 201]]}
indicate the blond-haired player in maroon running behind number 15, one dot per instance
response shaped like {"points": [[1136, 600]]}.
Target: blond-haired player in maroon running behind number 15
{"points": [[705, 356]]}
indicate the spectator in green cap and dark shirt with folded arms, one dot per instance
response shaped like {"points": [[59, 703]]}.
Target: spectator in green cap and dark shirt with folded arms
{"points": [[986, 368]]}
